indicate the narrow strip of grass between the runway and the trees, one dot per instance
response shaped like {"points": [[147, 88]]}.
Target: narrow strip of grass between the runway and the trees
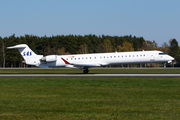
{"points": [[94, 70]]}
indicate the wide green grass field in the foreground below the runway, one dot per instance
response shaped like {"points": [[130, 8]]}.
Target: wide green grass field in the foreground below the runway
{"points": [[89, 98]]}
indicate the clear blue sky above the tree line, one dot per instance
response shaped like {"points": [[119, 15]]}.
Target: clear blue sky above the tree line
{"points": [[157, 20]]}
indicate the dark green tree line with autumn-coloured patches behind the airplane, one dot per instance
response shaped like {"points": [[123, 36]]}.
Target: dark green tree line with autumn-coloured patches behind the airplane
{"points": [[77, 44]]}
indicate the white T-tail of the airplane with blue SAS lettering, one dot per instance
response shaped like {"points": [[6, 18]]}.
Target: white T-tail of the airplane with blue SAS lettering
{"points": [[29, 56]]}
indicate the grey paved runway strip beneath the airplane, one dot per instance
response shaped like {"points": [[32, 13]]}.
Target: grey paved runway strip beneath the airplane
{"points": [[84, 75]]}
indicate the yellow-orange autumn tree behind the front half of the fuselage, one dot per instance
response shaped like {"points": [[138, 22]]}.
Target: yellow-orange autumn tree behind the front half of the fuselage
{"points": [[126, 46]]}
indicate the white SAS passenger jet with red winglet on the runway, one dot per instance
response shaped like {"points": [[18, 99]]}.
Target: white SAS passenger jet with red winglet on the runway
{"points": [[85, 61]]}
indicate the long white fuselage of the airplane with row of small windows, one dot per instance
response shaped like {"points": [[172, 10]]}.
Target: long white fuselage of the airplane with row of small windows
{"points": [[104, 59]]}
